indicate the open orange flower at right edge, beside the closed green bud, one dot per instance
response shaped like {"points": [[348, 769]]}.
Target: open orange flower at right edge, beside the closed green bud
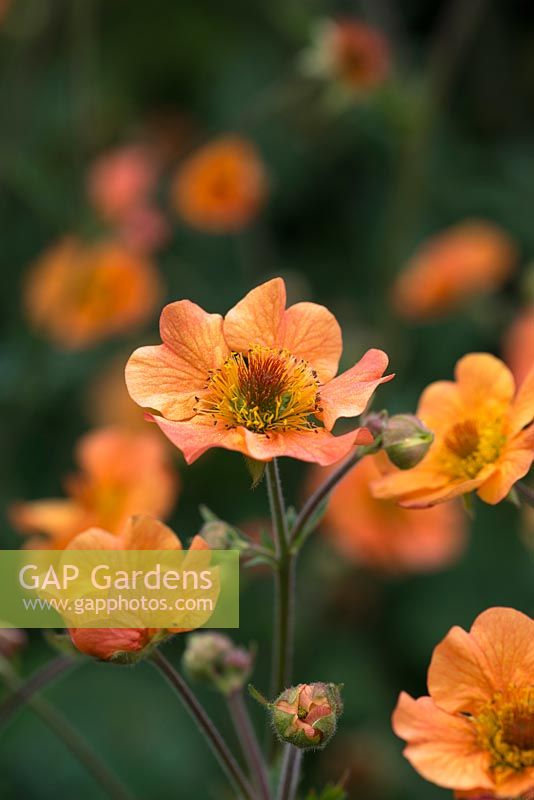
{"points": [[484, 439]]}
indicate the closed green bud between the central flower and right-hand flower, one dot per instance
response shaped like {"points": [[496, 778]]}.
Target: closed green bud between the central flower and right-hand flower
{"points": [[405, 439]]}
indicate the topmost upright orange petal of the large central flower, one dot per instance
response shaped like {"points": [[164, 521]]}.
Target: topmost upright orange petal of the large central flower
{"points": [[257, 318]]}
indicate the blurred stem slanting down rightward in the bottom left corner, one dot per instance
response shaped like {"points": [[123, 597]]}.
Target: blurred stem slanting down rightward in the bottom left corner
{"points": [[71, 738]]}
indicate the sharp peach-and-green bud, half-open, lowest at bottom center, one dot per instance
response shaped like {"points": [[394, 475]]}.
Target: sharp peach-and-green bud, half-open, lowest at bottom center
{"points": [[306, 715]]}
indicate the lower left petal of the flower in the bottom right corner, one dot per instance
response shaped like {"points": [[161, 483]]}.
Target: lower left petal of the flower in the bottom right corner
{"points": [[442, 747]]}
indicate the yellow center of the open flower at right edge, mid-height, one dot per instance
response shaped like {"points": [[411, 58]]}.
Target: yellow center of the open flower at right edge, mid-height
{"points": [[471, 444]]}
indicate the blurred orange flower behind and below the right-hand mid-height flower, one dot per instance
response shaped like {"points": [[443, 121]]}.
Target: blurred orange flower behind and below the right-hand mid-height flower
{"points": [[382, 535]]}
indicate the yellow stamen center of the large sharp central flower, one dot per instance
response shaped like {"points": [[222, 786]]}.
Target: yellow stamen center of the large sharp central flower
{"points": [[263, 390]]}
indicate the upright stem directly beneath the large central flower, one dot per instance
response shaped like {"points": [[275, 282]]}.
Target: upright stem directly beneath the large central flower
{"points": [[284, 584]]}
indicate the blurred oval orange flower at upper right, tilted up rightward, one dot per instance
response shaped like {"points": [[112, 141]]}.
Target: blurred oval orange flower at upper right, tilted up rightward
{"points": [[461, 262]]}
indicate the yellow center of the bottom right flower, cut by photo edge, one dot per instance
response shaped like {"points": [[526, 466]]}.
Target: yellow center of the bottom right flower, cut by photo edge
{"points": [[505, 729]]}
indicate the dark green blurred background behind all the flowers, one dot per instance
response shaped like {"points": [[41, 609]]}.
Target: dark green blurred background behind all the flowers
{"points": [[352, 192]]}
